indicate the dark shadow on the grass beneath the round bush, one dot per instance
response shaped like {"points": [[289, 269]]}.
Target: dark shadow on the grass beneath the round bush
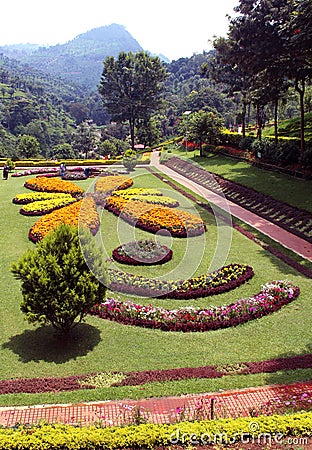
{"points": [[44, 344]]}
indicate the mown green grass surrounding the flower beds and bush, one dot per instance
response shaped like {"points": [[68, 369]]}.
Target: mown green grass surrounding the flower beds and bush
{"points": [[98, 345]]}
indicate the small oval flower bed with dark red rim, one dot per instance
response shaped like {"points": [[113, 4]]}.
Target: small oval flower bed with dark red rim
{"points": [[142, 253]]}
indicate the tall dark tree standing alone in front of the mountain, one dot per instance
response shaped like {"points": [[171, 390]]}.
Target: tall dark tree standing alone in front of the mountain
{"points": [[131, 87]]}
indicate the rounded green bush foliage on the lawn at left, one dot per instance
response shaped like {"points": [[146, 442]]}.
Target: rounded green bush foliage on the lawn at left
{"points": [[57, 285]]}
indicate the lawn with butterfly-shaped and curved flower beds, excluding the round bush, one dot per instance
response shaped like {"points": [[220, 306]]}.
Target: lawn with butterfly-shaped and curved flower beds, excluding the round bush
{"points": [[170, 303]]}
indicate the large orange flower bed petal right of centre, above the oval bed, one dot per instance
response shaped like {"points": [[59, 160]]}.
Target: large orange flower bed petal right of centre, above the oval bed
{"points": [[154, 219]]}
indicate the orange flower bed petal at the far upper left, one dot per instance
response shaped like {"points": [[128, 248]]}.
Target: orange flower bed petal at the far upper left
{"points": [[45, 184]]}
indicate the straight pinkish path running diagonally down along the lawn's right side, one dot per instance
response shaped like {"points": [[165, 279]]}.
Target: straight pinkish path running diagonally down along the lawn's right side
{"points": [[287, 239]]}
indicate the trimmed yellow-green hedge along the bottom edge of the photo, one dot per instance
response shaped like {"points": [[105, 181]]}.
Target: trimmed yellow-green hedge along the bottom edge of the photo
{"points": [[67, 437]]}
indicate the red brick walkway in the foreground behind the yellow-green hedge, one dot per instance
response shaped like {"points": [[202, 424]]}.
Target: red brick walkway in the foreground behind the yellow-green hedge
{"points": [[235, 403]]}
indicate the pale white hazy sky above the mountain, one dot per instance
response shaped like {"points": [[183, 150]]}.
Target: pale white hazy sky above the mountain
{"points": [[174, 28]]}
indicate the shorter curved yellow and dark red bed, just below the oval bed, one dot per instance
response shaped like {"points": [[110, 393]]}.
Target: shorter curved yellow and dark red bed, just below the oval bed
{"points": [[222, 280]]}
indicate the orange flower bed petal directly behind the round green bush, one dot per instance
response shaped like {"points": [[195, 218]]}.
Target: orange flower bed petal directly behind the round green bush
{"points": [[82, 212]]}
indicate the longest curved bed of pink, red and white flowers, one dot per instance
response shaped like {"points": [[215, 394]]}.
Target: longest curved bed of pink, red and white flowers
{"points": [[271, 298]]}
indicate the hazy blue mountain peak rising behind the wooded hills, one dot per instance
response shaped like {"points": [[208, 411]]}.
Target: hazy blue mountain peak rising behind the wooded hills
{"points": [[81, 59]]}
